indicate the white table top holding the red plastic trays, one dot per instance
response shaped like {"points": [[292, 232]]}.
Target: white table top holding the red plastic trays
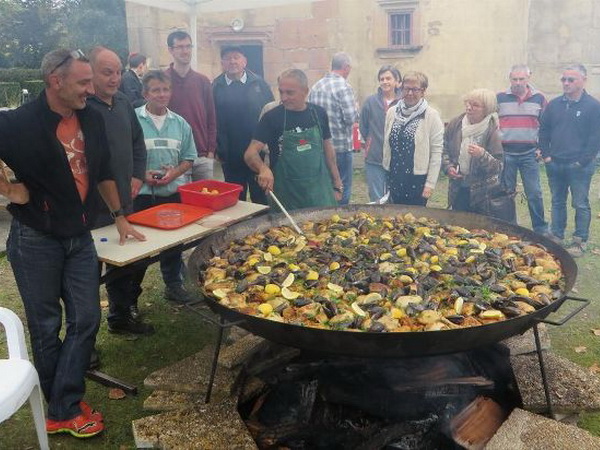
{"points": [[106, 239]]}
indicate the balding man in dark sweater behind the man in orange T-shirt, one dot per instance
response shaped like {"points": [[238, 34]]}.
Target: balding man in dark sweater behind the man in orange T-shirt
{"points": [[128, 164]]}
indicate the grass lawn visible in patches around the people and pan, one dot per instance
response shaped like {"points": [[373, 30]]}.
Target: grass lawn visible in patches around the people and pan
{"points": [[181, 333]]}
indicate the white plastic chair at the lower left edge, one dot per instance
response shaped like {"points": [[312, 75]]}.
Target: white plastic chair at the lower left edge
{"points": [[19, 380]]}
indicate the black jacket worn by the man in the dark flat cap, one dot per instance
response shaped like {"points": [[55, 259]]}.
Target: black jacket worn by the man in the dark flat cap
{"points": [[238, 107]]}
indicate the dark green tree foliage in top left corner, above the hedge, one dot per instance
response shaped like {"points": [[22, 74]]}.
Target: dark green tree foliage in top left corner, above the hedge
{"points": [[31, 28]]}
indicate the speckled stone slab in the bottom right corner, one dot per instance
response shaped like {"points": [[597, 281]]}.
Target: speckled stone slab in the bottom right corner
{"points": [[526, 431]]}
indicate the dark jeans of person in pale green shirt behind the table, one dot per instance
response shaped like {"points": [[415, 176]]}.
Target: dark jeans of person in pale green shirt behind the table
{"points": [[171, 262]]}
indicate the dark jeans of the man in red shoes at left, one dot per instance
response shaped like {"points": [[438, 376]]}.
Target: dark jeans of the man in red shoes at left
{"points": [[47, 269]]}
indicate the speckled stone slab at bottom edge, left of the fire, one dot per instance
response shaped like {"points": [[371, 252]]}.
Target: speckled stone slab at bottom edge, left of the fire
{"points": [[207, 427]]}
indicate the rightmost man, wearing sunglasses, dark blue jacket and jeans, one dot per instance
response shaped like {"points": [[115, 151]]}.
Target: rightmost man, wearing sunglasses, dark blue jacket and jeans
{"points": [[569, 141]]}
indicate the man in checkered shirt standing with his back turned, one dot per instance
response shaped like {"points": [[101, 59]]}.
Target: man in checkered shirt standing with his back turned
{"points": [[335, 94]]}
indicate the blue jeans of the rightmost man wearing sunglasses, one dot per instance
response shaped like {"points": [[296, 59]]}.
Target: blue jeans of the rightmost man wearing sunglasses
{"points": [[564, 177]]}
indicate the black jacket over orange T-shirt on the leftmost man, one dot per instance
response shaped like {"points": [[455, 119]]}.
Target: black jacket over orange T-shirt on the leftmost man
{"points": [[29, 146]]}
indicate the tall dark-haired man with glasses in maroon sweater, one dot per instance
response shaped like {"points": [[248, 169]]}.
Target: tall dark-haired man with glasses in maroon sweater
{"points": [[192, 98]]}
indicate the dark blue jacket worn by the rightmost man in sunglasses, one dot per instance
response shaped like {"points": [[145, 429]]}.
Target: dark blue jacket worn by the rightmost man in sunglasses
{"points": [[570, 131]]}
